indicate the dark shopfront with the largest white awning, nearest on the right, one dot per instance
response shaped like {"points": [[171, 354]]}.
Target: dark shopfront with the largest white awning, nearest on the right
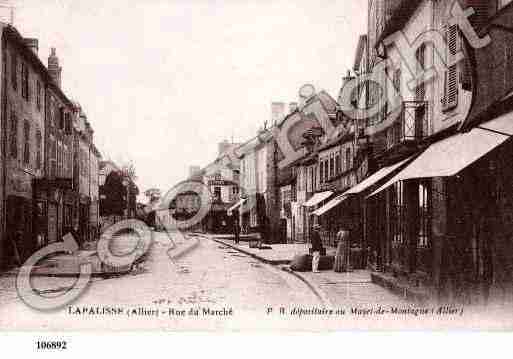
{"points": [[444, 221]]}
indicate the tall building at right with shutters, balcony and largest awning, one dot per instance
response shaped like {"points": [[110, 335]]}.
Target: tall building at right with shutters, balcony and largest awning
{"points": [[432, 208]]}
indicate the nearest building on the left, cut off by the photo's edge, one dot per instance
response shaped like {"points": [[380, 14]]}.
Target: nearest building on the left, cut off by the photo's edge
{"points": [[25, 86]]}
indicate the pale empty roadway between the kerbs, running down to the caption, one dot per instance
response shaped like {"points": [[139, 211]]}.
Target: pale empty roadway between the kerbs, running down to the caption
{"points": [[210, 276]]}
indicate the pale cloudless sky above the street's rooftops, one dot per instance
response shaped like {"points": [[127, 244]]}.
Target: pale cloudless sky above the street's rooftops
{"points": [[163, 82]]}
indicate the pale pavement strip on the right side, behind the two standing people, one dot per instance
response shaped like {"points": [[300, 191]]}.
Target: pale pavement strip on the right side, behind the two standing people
{"points": [[277, 254]]}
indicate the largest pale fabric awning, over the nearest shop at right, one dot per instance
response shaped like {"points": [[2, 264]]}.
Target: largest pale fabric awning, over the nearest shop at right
{"points": [[450, 156]]}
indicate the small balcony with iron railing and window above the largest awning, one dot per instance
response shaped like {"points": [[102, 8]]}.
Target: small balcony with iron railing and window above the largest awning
{"points": [[411, 124]]}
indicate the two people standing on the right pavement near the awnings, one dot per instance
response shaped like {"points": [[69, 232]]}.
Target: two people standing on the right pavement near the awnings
{"points": [[341, 263]]}
